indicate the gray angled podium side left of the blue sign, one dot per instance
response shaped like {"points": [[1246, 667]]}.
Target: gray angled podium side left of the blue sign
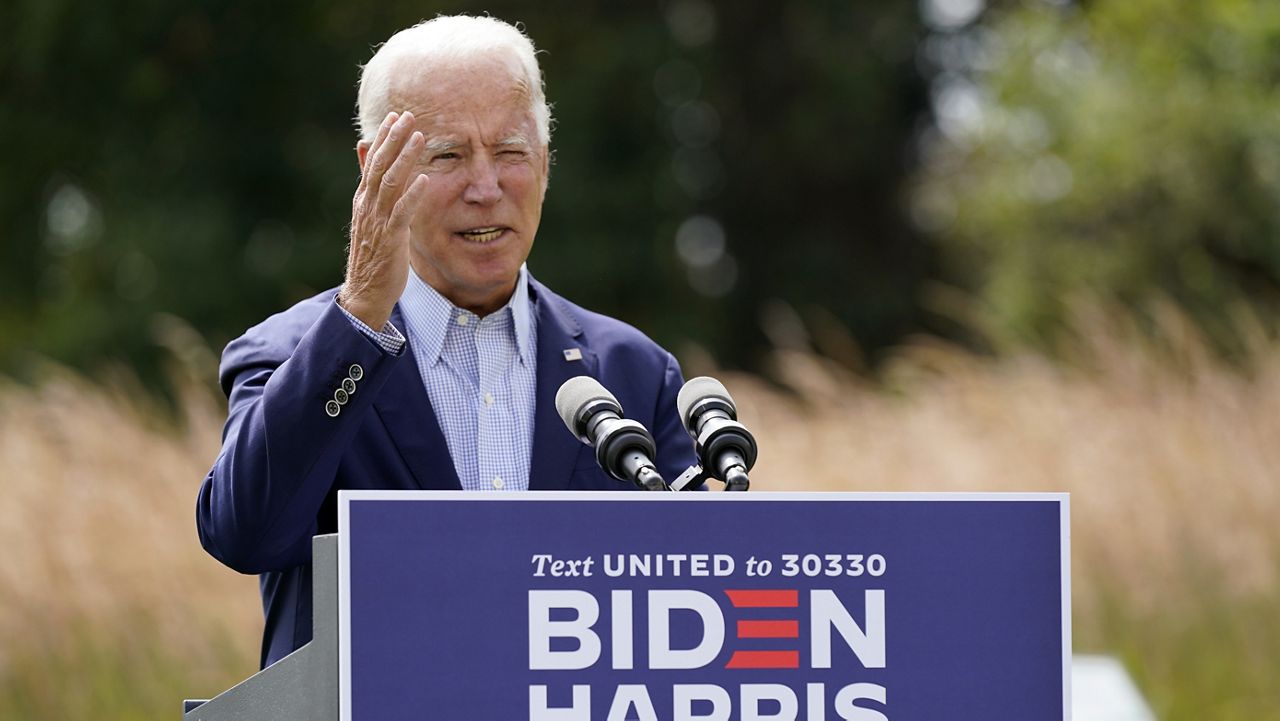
{"points": [[303, 686]]}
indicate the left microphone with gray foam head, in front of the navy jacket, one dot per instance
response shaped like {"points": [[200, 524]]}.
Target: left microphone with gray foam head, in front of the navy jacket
{"points": [[624, 448]]}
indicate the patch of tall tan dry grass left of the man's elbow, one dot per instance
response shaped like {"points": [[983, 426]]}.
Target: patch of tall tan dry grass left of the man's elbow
{"points": [[109, 609]]}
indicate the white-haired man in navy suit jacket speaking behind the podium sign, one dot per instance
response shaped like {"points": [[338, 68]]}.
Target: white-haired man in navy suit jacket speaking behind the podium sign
{"points": [[437, 362]]}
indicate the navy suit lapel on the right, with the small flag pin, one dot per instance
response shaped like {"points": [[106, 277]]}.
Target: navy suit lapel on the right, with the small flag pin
{"points": [[556, 450]]}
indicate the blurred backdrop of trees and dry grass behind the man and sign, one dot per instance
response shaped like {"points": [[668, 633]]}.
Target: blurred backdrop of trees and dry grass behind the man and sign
{"points": [[936, 245]]}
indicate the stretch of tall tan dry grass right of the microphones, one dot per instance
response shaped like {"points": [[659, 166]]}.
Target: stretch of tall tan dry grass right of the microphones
{"points": [[1172, 457]]}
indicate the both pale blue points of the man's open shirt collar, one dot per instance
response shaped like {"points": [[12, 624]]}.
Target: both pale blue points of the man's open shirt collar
{"points": [[428, 316]]}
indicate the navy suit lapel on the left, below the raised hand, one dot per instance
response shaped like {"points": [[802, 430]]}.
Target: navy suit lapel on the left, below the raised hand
{"points": [[410, 419]]}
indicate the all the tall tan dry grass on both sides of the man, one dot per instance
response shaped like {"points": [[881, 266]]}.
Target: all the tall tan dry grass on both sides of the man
{"points": [[1169, 455]]}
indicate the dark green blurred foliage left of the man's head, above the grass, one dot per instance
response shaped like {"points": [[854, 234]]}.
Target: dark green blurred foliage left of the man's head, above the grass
{"points": [[168, 163]]}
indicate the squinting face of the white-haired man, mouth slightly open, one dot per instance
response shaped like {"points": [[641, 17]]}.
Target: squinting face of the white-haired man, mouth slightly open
{"points": [[487, 177]]}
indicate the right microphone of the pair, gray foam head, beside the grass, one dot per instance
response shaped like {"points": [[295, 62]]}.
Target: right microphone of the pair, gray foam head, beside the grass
{"points": [[725, 448]]}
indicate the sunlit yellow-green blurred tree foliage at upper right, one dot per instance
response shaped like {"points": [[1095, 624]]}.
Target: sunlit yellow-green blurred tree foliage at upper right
{"points": [[1119, 148]]}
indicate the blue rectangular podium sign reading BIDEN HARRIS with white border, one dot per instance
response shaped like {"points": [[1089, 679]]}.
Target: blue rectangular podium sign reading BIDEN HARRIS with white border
{"points": [[705, 606]]}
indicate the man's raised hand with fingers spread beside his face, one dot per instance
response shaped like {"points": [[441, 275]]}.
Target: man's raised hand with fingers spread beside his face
{"points": [[381, 213]]}
